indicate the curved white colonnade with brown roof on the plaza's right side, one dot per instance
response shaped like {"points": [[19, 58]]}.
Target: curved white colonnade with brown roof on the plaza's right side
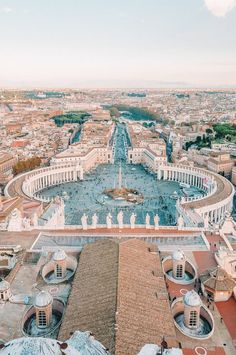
{"points": [[213, 206]]}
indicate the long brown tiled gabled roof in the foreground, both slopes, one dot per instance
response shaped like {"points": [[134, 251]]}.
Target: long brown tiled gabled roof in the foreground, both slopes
{"points": [[119, 294]]}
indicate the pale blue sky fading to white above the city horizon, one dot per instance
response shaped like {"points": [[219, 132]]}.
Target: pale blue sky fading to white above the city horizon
{"points": [[125, 43]]}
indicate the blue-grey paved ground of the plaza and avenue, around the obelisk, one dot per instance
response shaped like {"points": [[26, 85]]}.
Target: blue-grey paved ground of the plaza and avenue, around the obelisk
{"points": [[87, 196]]}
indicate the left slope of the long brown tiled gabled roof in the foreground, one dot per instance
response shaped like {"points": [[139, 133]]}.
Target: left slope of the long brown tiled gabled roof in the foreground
{"points": [[92, 301]]}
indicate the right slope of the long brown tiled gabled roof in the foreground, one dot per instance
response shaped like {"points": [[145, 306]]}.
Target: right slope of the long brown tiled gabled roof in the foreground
{"points": [[143, 311]]}
